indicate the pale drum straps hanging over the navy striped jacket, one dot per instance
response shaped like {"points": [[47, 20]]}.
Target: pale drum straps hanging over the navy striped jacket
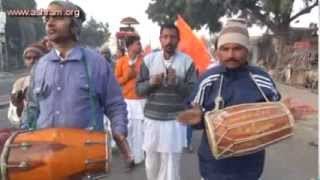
{"points": [[219, 102]]}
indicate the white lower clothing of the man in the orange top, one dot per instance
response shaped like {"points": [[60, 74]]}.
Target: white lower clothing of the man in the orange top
{"points": [[135, 127]]}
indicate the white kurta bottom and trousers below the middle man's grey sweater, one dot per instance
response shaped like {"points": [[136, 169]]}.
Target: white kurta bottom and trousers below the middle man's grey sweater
{"points": [[163, 143]]}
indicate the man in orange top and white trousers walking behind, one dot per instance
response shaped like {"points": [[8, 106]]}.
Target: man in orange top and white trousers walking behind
{"points": [[127, 68]]}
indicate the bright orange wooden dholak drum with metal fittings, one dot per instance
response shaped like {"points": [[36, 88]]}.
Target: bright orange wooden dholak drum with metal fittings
{"points": [[55, 154]]}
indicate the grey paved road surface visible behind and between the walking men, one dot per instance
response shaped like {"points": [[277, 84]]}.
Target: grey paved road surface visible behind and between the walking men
{"points": [[293, 159]]}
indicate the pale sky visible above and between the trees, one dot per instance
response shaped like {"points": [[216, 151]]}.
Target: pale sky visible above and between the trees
{"points": [[112, 11]]}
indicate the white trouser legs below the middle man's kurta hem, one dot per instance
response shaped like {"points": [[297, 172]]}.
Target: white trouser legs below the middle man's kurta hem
{"points": [[162, 166]]}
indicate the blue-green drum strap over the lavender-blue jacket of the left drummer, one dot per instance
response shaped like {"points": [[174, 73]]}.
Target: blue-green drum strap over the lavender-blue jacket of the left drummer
{"points": [[93, 100]]}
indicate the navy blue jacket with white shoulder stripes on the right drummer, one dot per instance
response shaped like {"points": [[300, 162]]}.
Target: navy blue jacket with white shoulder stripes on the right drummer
{"points": [[237, 88]]}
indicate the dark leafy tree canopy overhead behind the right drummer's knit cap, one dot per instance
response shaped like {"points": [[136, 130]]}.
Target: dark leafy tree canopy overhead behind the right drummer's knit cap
{"points": [[275, 14]]}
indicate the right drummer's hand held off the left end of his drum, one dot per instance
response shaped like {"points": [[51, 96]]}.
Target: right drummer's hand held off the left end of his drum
{"points": [[191, 116]]}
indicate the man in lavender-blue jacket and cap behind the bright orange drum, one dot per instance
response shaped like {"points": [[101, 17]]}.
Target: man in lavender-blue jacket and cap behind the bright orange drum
{"points": [[72, 87]]}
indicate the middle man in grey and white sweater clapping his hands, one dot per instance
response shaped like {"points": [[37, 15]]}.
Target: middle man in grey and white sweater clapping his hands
{"points": [[166, 78]]}
